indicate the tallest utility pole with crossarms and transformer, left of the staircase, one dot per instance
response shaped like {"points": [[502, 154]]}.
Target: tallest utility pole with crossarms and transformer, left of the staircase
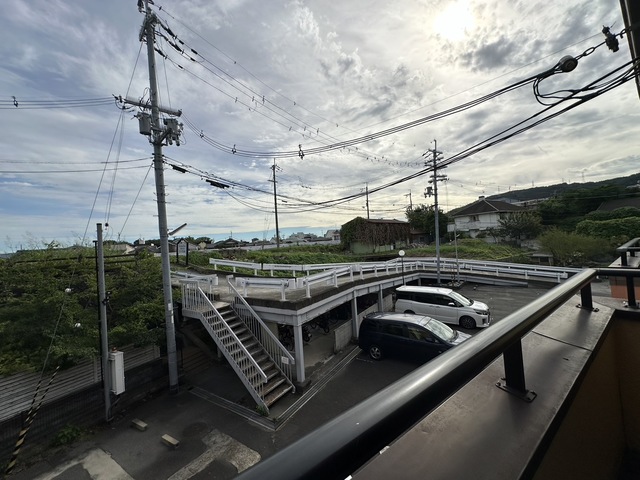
{"points": [[157, 135]]}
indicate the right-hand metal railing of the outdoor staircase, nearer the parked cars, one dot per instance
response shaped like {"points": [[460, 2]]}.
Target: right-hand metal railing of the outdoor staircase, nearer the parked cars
{"points": [[282, 358]]}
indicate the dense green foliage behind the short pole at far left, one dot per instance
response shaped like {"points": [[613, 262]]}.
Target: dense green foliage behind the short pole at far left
{"points": [[49, 306]]}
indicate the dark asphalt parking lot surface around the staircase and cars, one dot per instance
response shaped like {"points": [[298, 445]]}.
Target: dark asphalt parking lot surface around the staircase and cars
{"points": [[216, 443]]}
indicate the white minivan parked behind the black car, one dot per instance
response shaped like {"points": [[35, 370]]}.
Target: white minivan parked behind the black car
{"points": [[443, 304]]}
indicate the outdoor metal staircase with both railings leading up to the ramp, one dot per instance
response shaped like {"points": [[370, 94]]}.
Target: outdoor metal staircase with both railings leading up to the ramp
{"points": [[255, 354]]}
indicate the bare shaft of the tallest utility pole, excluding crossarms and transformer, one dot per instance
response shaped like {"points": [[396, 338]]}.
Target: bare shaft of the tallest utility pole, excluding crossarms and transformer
{"points": [[157, 139]]}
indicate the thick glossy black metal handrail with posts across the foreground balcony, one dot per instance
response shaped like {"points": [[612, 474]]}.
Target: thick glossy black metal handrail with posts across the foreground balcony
{"points": [[344, 444]]}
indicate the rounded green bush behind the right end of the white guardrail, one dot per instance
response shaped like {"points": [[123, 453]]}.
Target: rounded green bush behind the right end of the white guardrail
{"points": [[572, 249]]}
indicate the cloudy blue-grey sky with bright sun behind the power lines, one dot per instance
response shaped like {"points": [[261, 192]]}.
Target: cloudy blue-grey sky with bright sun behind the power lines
{"points": [[344, 101]]}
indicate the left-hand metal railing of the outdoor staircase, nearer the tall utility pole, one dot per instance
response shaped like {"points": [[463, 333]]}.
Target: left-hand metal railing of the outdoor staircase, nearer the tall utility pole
{"points": [[197, 304]]}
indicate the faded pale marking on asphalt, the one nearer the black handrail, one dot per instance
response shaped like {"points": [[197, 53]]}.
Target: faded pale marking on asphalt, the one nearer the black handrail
{"points": [[221, 446]]}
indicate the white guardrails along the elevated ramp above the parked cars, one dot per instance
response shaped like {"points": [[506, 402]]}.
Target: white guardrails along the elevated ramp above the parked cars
{"points": [[330, 272]]}
